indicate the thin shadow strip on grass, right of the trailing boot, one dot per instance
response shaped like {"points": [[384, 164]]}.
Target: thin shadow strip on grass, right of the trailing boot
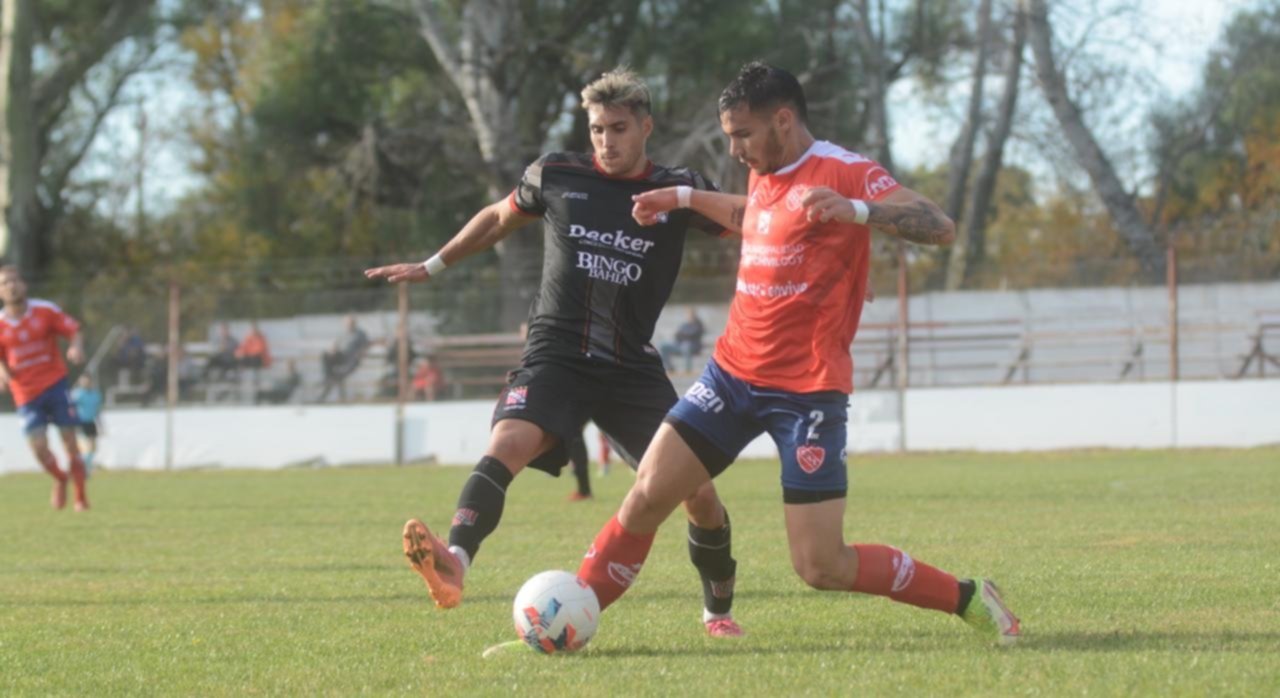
{"points": [[1224, 641]]}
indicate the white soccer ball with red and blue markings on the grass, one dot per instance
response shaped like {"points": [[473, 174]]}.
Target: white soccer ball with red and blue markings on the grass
{"points": [[556, 612]]}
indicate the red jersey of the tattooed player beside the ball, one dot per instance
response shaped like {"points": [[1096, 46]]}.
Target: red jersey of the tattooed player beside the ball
{"points": [[801, 285]]}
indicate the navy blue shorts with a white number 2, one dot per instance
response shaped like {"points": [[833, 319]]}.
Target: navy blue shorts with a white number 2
{"points": [[721, 414]]}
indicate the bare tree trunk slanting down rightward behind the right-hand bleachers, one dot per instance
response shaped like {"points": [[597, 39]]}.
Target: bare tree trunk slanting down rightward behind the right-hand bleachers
{"points": [[1121, 204]]}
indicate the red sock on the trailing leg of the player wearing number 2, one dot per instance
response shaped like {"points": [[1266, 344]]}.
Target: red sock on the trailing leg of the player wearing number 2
{"points": [[888, 572]]}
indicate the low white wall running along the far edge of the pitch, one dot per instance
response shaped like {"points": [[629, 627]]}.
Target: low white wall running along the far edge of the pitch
{"points": [[1017, 418]]}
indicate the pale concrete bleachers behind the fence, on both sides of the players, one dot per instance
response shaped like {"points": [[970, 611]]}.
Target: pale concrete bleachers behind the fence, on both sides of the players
{"points": [[959, 339]]}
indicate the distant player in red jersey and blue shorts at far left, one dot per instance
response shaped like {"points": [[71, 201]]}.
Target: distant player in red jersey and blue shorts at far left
{"points": [[31, 367]]}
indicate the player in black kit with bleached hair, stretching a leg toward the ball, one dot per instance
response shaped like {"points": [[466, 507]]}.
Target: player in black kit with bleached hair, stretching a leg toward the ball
{"points": [[589, 353]]}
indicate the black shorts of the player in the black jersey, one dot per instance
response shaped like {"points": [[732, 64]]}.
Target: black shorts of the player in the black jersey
{"points": [[627, 404]]}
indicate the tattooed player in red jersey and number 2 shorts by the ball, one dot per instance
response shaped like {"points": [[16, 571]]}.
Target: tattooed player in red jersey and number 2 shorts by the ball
{"points": [[783, 364]]}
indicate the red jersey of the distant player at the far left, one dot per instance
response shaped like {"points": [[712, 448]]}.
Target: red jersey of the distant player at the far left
{"points": [[29, 348]]}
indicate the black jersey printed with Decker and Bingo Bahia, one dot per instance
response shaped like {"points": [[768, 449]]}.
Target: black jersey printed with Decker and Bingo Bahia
{"points": [[606, 279]]}
